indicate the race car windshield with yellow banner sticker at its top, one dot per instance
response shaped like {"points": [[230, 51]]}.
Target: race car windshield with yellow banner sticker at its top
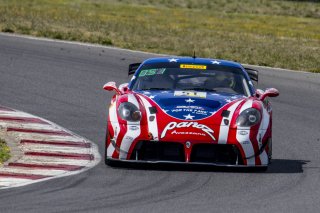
{"points": [[169, 76]]}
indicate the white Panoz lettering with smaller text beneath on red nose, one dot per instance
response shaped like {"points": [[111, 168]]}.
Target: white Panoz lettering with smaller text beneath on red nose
{"points": [[174, 125]]}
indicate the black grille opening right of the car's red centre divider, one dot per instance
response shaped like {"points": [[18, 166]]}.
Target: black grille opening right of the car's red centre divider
{"points": [[216, 153]]}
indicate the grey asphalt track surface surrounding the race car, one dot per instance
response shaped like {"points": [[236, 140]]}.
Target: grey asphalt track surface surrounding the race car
{"points": [[62, 83]]}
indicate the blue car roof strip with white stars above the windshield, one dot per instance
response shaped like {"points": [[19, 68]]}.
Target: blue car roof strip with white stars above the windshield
{"points": [[192, 60]]}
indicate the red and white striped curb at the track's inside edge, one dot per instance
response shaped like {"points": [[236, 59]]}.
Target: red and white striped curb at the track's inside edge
{"points": [[43, 150]]}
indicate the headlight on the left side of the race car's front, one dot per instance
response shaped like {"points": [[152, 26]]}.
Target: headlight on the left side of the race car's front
{"points": [[129, 112]]}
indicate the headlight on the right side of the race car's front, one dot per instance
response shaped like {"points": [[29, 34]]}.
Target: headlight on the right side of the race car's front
{"points": [[248, 118]]}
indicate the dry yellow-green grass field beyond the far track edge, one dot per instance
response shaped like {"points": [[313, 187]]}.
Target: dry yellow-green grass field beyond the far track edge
{"points": [[263, 32]]}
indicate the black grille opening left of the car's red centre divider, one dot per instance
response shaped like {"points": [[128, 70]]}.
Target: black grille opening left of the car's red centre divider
{"points": [[158, 151]]}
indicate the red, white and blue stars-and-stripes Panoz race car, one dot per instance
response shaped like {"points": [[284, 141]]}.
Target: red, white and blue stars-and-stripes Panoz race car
{"points": [[189, 110]]}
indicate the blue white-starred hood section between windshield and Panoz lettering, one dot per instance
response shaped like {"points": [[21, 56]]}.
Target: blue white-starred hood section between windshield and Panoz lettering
{"points": [[190, 105]]}
